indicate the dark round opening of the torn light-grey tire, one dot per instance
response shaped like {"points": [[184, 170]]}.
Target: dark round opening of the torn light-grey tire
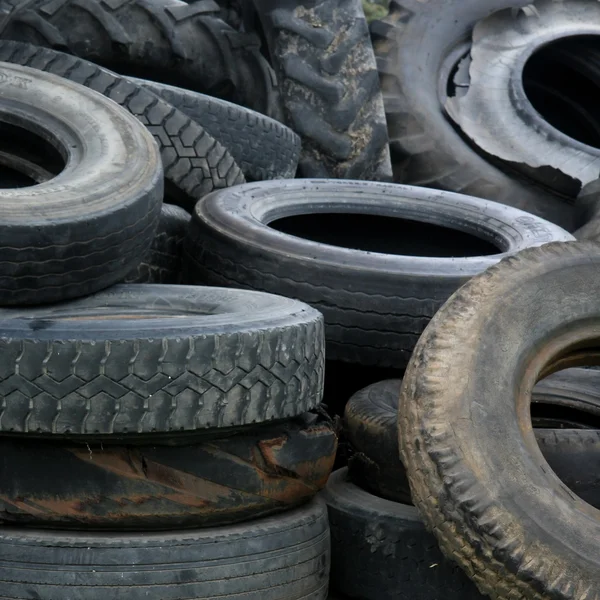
{"points": [[562, 82]]}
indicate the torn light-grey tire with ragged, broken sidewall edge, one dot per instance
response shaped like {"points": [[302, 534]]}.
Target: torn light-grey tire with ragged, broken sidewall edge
{"points": [[495, 112]]}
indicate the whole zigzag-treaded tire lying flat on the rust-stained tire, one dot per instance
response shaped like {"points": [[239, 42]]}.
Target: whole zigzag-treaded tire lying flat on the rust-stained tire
{"points": [[148, 359]]}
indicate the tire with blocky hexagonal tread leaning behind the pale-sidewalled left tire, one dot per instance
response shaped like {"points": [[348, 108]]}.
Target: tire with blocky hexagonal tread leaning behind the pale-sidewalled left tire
{"points": [[194, 162]]}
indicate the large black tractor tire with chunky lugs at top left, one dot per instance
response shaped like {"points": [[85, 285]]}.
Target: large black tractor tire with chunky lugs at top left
{"points": [[167, 40]]}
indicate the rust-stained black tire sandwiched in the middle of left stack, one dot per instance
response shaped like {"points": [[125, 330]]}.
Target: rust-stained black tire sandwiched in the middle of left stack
{"points": [[214, 482]]}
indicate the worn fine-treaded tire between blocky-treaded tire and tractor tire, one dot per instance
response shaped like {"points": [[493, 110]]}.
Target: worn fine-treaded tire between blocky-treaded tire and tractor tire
{"points": [[261, 146]]}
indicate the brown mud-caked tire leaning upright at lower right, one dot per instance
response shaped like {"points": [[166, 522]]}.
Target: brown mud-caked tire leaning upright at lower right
{"points": [[494, 511]]}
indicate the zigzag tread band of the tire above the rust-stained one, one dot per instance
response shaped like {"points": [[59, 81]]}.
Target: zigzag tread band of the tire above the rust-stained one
{"points": [[161, 384]]}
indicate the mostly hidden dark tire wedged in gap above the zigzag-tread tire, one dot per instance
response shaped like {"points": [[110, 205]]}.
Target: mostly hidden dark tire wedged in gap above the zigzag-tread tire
{"points": [[163, 262]]}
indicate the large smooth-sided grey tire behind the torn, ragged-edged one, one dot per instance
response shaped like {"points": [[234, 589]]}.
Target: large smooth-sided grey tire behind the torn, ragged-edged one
{"points": [[416, 46]]}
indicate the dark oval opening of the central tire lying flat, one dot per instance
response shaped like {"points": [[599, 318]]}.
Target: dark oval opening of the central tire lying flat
{"points": [[384, 234]]}
